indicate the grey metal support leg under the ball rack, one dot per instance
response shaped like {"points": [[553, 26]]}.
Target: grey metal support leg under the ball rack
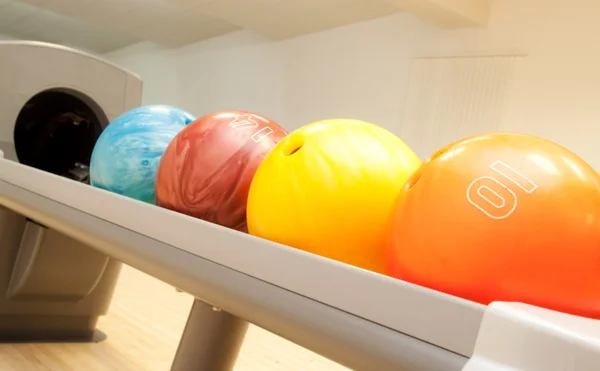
{"points": [[211, 340]]}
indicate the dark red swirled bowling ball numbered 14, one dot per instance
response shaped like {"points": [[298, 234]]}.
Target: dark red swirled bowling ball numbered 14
{"points": [[207, 169]]}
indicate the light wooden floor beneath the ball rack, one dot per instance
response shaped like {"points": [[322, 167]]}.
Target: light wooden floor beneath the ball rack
{"points": [[143, 327]]}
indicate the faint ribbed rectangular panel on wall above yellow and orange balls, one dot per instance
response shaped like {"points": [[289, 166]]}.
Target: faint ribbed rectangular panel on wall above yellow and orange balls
{"points": [[453, 97]]}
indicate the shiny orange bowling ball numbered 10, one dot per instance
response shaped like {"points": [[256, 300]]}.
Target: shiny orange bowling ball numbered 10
{"points": [[502, 217]]}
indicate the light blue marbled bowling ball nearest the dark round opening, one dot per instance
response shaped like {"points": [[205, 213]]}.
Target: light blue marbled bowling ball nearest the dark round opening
{"points": [[127, 153]]}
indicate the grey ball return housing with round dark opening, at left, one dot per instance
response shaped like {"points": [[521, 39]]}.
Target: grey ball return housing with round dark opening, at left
{"points": [[54, 287]]}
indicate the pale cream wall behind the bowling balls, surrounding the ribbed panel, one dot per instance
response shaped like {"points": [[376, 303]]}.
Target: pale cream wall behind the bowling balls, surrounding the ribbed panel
{"points": [[363, 70]]}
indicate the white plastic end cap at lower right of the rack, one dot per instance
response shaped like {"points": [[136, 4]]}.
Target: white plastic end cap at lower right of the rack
{"points": [[516, 336]]}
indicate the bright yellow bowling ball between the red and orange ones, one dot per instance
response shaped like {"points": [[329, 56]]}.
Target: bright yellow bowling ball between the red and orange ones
{"points": [[328, 189]]}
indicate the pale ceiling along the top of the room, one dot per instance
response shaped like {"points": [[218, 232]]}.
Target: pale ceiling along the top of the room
{"points": [[104, 25]]}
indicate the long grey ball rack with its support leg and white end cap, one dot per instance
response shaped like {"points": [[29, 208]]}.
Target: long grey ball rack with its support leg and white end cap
{"points": [[357, 318]]}
